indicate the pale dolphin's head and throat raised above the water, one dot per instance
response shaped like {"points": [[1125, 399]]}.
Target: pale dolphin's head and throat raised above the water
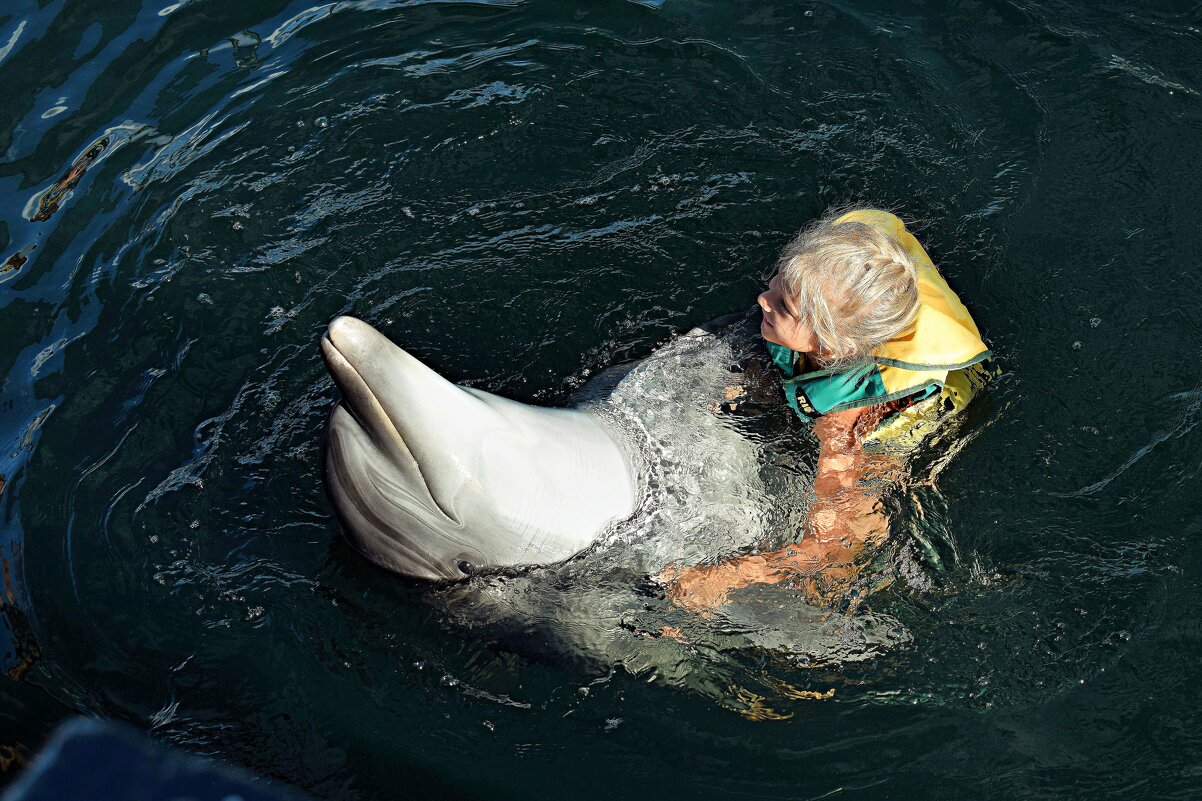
{"points": [[437, 482]]}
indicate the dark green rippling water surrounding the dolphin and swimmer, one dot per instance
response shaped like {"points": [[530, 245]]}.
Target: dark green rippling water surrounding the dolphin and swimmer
{"points": [[526, 193]]}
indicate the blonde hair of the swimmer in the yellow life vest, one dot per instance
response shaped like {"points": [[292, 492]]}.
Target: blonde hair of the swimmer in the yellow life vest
{"points": [[855, 286]]}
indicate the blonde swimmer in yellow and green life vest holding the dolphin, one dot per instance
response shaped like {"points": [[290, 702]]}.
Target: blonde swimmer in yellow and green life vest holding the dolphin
{"points": [[877, 352]]}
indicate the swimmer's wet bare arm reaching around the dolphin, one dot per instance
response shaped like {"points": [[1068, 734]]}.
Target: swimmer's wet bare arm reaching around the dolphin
{"points": [[844, 521]]}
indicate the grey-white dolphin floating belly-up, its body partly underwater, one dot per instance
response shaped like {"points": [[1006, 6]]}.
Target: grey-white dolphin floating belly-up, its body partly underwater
{"points": [[444, 483]]}
